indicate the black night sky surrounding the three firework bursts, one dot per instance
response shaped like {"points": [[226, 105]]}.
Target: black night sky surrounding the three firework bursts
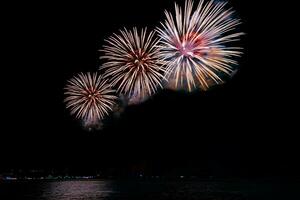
{"points": [[245, 126]]}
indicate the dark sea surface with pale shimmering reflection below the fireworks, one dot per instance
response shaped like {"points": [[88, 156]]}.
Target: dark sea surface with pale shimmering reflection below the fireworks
{"points": [[148, 190]]}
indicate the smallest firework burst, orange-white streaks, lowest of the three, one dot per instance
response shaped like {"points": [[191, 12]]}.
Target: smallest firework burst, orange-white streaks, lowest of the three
{"points": [[89, 97]]}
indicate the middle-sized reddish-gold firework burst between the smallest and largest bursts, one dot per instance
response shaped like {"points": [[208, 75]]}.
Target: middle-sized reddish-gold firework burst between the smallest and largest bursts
{"points": [[133, 64]]}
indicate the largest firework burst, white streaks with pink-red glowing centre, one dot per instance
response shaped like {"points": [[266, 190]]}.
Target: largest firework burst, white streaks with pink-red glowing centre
{"points": [[196, 44]]}
